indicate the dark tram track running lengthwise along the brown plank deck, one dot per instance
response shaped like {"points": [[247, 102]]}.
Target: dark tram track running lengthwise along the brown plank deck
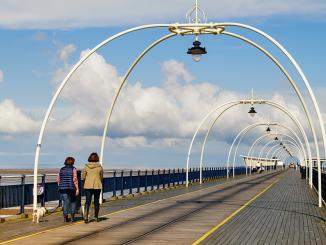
{"points": [[199, 203]]}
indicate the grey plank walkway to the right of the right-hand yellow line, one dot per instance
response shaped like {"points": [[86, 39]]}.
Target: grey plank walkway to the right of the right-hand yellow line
{"points": [[286, 214]]}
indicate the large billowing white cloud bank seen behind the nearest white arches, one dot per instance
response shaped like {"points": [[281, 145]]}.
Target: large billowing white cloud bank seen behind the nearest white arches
{"points": [[147, 116]]}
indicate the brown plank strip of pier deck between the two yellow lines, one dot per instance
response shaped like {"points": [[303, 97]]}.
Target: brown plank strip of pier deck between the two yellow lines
{"points": [[174, 219]]}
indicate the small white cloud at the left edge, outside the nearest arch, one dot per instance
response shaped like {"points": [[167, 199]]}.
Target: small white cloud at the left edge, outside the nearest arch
{"points": [[13, 120]]}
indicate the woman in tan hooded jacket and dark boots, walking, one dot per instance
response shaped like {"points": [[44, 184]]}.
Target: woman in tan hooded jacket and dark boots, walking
{"points": [[93, 184]]}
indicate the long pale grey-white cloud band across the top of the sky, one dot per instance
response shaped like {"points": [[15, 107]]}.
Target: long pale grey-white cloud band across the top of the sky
{"points": [[48, 14]]}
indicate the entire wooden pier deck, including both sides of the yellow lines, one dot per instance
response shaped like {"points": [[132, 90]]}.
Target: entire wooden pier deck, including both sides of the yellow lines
{"points": [[270, 208]]}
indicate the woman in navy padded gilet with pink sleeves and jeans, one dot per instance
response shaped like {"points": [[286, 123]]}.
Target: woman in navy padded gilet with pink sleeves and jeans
{"points": [[68, 188]]}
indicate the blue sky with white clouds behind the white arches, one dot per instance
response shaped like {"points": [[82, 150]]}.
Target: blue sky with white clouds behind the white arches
{"points": [[166, 95]]}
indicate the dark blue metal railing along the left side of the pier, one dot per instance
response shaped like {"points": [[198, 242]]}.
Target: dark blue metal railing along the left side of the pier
{"points": [[116, 183]]}
